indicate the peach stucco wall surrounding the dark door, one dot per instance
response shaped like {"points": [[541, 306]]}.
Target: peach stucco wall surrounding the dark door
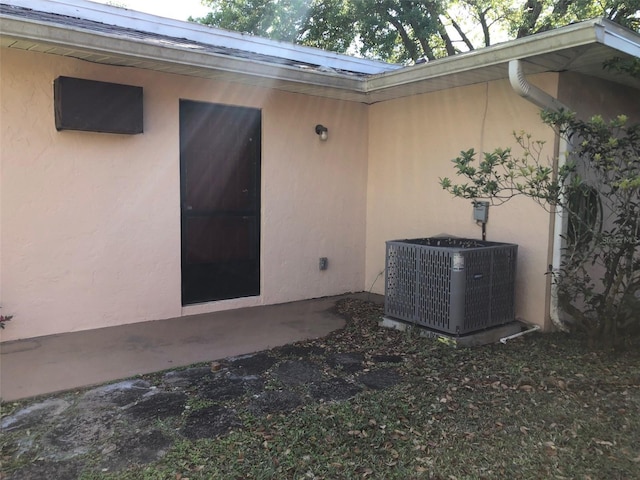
{"points": [[90, 222]]}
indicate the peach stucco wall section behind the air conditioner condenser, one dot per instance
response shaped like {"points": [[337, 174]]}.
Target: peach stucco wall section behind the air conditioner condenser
{"points": [[411, 144]]}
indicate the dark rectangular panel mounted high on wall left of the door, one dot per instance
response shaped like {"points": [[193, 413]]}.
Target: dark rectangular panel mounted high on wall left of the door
{"points": [[93, 106]]}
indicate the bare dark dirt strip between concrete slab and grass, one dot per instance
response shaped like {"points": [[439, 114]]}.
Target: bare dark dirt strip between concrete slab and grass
{"points": [[136, 421]]}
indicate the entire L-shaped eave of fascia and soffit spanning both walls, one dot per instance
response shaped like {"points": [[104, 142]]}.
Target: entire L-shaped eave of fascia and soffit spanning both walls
{"points": [[580, 48]]}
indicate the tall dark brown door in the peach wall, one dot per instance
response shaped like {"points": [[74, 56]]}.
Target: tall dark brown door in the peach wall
{"points": [[220, 193]]}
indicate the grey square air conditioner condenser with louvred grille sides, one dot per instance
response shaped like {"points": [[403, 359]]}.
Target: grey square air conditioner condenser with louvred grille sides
{"points": [[451, 285]]}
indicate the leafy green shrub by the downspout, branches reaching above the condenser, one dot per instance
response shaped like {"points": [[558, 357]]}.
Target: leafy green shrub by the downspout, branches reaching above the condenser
{"points": [[598, 192]]}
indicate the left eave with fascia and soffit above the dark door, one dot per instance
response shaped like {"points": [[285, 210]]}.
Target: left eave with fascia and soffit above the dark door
{"points": [[111, 45]]}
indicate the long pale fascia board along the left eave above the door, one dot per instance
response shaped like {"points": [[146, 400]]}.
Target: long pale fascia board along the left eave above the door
{"points": [[82, 40]]}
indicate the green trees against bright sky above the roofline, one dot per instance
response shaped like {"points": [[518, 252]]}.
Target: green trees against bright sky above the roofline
{"points": [[403, 30]]}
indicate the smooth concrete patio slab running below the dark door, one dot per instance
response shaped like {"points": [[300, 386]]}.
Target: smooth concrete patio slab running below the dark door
{"points": [[63, 362]]}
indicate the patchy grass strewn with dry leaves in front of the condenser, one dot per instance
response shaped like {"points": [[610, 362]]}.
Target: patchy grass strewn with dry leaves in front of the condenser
{"points": [[541, 406]]}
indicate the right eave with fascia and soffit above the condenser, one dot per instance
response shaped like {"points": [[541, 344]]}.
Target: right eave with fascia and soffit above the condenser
{"points": [[581, 48]]}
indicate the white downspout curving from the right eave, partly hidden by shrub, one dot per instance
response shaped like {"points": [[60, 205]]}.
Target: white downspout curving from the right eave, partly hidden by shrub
{"points": [[545, 101]]}
